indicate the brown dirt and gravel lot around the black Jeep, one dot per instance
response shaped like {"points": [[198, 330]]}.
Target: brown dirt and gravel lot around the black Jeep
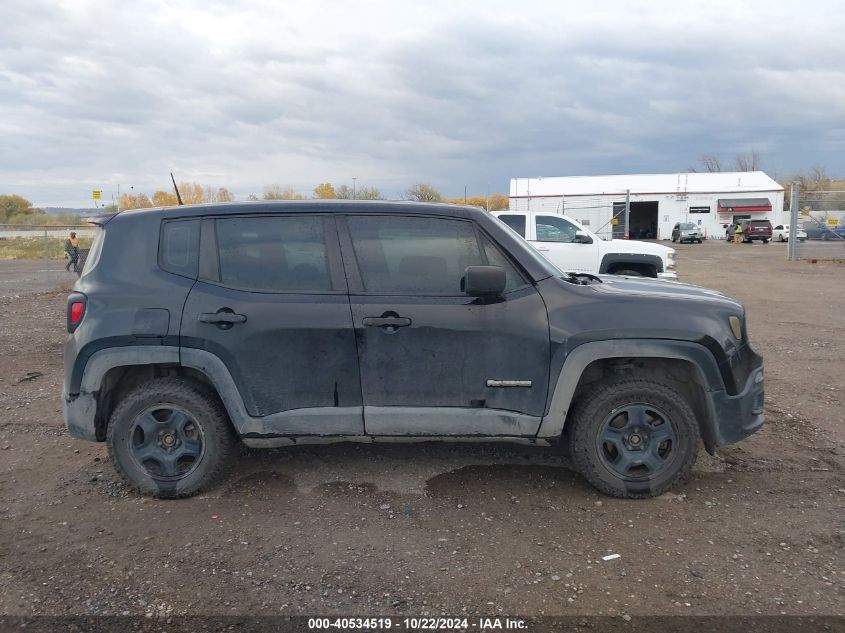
{"points": [[458, 529]]}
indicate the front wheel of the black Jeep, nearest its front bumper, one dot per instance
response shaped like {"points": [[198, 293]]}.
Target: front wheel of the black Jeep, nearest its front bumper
{"points": [[657, 412]]}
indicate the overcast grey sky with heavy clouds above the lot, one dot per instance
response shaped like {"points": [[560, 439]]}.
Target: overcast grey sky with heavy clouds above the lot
{"points": [[247, 94]]}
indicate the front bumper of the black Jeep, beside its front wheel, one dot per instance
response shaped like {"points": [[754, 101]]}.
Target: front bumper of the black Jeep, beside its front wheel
{"points": [[737, 417]]}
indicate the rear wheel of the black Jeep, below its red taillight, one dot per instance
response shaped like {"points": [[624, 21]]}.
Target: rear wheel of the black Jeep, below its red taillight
{"points": [[182, 414]]}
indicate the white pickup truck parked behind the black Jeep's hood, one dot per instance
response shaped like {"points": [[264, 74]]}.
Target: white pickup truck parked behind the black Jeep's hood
{"points": [[573, 248]]}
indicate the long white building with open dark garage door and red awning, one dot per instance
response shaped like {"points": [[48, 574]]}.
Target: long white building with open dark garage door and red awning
{"points": [[657, 201]]}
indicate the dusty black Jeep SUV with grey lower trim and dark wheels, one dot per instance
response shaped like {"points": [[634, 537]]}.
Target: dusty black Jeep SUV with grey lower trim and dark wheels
{"points": [[322, 321]]}
